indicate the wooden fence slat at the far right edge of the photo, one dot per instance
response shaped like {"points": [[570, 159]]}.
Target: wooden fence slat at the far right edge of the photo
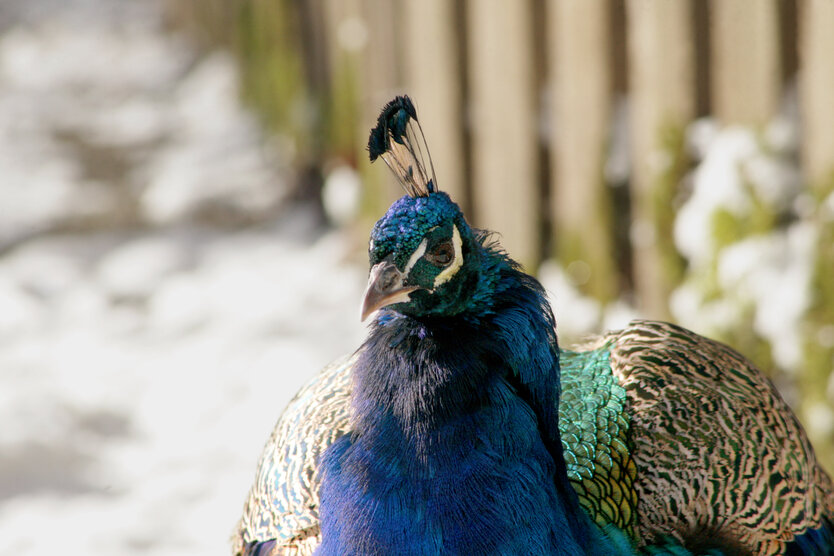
{"points": [[816, 88]]}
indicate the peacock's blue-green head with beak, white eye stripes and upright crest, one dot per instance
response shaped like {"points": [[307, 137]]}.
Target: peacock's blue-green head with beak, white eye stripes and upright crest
{"points": [[423, 254]]}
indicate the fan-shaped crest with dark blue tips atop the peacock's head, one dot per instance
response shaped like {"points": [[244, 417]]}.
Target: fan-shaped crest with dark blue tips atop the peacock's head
{"points": [[398, 139]]}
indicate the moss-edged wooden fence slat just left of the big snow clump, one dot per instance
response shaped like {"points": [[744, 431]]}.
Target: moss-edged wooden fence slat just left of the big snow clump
{"points": [[662, 104]]}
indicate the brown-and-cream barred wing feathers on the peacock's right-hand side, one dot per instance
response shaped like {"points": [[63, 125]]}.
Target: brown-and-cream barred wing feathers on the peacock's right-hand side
{"points": [[719, 453]]}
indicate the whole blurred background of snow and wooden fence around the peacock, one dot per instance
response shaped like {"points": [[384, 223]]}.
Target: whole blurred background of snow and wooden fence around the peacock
{"points": [[185, 201]]}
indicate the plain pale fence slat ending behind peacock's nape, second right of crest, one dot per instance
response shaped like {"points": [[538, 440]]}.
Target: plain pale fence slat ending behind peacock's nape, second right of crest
{"points": [[503, 124]]}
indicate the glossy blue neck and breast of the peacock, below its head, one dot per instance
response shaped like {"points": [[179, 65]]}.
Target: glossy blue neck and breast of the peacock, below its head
{"points": [[456, 446]]}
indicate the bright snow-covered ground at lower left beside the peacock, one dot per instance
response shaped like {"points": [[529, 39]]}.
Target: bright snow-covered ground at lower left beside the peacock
{"points": [[141, 405]]}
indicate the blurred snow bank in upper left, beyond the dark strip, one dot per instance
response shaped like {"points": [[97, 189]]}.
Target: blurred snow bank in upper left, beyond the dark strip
{"points": [[107, 117]]}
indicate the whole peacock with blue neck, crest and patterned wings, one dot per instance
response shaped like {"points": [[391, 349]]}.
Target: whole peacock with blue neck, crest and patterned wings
{"points": [[461, 427]]}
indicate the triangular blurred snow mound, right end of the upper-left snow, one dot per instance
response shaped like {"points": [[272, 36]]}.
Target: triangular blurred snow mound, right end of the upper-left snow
{"points": [[209, 160]]}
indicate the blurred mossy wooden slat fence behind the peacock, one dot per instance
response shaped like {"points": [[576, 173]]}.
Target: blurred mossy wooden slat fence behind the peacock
{"points": [[517, 99]]}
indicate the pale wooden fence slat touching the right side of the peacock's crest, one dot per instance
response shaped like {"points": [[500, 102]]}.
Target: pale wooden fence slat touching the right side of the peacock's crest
{"points": [[433, 79]]}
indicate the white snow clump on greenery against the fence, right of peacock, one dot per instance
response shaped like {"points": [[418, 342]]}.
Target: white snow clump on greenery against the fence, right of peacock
{"points": [[766, 274]]}
